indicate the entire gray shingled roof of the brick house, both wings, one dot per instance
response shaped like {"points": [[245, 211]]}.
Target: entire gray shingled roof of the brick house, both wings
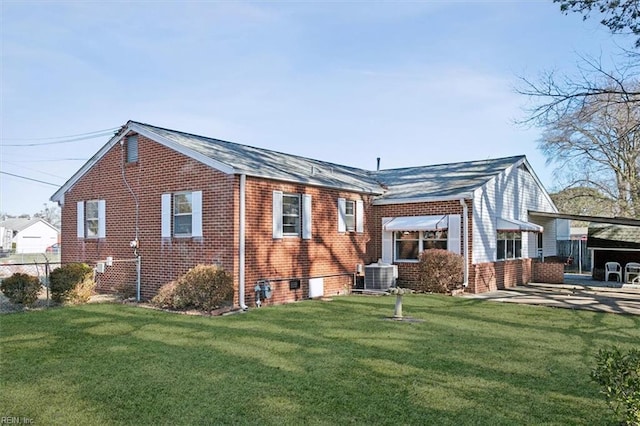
{"points": [[426, 182]]}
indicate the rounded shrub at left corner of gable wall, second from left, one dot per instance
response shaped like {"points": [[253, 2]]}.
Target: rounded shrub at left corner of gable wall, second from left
{"points": [[72, 283]]}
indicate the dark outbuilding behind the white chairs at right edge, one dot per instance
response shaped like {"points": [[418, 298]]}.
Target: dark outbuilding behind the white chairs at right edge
{"points": [[612, 243]]}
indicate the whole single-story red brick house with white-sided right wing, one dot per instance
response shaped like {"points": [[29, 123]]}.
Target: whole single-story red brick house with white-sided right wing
{"points": [[306, 226]]}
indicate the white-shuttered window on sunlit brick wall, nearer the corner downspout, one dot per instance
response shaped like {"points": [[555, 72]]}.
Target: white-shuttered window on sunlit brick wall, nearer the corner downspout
{"points": [[291, 215]]}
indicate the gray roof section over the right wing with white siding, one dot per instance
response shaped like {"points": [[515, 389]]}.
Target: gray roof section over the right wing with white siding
{"points": [[442, 180]]}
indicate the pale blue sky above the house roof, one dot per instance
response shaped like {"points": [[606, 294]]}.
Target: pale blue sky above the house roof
{"points": [[414, 83]]}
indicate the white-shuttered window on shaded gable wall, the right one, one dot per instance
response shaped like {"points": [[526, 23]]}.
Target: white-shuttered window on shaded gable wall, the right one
{"points": [[182, 214]]}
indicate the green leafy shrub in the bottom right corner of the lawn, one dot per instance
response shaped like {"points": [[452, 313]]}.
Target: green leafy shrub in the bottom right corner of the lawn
{"points": [[619, 375]]}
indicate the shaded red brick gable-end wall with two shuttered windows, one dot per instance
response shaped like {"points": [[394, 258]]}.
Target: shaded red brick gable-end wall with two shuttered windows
{"points": [[159, 170]]}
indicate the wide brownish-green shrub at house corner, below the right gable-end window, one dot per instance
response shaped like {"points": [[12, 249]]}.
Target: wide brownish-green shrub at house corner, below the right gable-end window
{"points": [[204, 287]]}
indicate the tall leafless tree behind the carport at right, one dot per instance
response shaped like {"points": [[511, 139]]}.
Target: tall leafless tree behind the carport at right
{"points": [[596, 141]]}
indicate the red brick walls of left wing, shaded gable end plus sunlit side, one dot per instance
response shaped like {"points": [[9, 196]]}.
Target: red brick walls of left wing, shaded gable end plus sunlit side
{"points": [[160, 170]]}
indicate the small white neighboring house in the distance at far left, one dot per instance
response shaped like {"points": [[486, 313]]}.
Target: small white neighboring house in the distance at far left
{"points": [[28, 235]]}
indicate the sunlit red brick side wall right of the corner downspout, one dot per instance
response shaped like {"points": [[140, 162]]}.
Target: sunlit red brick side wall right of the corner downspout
{"points": [[328, 253]]}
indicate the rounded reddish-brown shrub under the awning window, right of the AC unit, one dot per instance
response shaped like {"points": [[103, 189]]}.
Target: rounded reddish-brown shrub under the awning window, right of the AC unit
{"points": [[440, 271]]}
